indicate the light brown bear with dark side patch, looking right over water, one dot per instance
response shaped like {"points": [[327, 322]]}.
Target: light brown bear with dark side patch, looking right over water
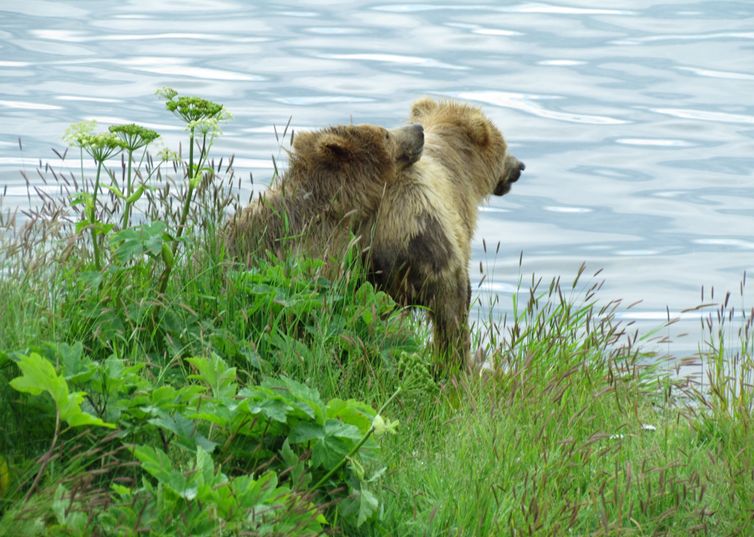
{"points": [[421, 232]]}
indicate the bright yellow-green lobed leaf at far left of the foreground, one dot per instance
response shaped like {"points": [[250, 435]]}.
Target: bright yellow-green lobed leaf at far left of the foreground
{"points": [[38, 375]]}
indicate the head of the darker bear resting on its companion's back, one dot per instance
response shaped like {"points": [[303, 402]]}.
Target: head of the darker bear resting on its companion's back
{"points": [[347, 167]]}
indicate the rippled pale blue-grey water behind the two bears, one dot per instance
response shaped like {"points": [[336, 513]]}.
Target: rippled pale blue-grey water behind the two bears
{"points": [[635, 118]]}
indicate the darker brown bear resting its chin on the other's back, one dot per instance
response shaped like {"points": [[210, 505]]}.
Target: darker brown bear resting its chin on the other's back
{"points": [[335, 181]]}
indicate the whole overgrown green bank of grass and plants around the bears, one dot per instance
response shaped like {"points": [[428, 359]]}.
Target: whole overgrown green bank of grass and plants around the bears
{"points": [[149, 386]]}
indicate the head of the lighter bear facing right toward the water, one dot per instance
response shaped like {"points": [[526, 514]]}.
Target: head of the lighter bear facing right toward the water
{"points": [[476, 144]]}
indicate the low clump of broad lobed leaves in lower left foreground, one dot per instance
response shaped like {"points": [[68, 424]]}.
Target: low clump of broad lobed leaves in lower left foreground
{"points": [[307, 452]]}
